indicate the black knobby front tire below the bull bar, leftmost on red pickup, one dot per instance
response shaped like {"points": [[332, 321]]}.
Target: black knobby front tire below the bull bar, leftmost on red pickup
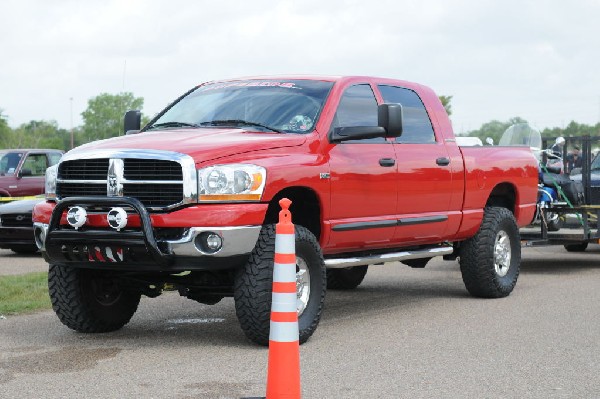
{"points": [[90, 301]]}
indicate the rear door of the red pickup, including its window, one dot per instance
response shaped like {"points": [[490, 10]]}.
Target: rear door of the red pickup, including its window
{"points": [[425, 178]]}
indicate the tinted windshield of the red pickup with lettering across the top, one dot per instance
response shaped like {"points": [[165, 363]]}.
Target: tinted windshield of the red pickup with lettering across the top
{"points": [[266, 105]]}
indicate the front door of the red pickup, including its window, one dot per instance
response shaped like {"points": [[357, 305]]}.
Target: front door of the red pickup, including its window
{"points": [[363, 175]]}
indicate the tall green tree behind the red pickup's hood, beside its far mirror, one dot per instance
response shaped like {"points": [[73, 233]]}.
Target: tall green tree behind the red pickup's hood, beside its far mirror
{"points": [[103, 117]]}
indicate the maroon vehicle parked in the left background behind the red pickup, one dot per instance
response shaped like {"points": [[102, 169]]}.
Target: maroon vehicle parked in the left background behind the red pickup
{"points": [[22, 171]]}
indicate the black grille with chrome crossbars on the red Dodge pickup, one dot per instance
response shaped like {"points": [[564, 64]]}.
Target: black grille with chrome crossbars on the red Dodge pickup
{"points": [[157, 183]]}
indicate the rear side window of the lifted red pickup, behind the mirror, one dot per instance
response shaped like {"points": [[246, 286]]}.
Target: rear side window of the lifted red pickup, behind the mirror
{"points": [[416, 123]]}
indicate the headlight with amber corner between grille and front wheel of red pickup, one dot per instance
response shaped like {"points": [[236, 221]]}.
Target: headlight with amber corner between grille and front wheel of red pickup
{"points": [[235, 182]]}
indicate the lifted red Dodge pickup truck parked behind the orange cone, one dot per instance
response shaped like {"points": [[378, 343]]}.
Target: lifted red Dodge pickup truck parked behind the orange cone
{"points": [[189, 202]]}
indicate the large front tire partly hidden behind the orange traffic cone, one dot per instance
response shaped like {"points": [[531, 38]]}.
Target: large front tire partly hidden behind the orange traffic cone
{"points": [[253, 285]]}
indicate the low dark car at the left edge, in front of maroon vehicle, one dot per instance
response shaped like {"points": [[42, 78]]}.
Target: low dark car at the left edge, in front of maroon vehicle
{"points": [[16, 226]]}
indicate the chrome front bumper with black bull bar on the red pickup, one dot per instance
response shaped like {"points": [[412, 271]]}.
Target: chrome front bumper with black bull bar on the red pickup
{"points": [[139, 248]]}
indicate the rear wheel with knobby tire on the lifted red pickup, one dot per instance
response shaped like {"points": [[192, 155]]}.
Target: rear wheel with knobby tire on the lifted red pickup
{"points": [[490, 260]]}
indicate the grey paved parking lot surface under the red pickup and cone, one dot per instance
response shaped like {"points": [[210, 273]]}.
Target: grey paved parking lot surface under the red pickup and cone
{"points": [[404, 333]]}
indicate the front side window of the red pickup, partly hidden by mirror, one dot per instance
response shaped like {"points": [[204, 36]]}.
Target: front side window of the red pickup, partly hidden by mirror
{"points": [[358, 107]]}
